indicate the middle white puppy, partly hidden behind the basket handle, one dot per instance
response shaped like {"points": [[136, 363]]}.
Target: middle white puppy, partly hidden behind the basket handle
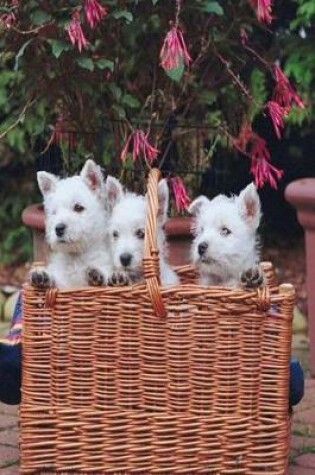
{"points": [[126, 228]]}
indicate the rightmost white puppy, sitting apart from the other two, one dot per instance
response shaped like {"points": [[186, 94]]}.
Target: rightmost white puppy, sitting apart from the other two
{"points": [[225, 248]]}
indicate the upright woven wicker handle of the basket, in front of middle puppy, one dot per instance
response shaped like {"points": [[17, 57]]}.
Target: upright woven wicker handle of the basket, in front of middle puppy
{"points": [[151, 264]]}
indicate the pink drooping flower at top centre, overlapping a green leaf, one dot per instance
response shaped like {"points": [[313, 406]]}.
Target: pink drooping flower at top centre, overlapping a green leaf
{"points": [[174, 50]]}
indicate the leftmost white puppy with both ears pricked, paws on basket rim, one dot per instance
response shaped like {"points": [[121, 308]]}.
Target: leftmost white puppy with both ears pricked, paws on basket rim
{"points": [[76, 228]]}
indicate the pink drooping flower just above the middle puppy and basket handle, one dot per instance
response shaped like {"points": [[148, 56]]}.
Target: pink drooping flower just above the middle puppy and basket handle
{"points": [[138, 139]]}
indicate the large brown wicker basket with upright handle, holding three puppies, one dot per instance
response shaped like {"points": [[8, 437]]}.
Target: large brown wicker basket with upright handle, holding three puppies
{"points": [[156, 380]]}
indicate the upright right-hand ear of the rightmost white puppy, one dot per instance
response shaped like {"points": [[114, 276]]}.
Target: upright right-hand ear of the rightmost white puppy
{"points": [[249, 206]]}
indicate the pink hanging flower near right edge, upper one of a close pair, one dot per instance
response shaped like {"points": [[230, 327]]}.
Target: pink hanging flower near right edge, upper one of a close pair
{"points": [[284, 94]]}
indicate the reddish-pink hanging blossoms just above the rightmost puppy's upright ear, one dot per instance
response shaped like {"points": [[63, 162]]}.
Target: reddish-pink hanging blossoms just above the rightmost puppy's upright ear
{"points": [[255, 147]]}
